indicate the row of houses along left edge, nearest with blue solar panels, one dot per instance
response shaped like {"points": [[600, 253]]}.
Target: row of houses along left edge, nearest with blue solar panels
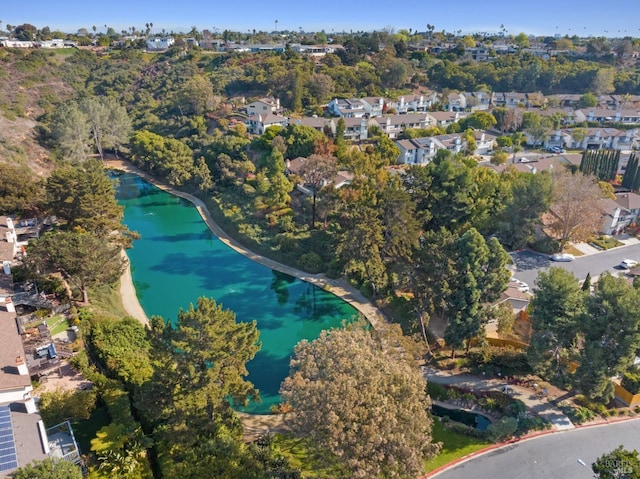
{"points": [[23, 435]]}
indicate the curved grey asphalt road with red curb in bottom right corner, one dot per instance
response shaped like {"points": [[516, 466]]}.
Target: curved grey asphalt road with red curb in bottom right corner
{"points": [[552, 456]]}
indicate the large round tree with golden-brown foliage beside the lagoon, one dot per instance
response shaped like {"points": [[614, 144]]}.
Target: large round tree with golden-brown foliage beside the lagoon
{"points": [[355, 398]]}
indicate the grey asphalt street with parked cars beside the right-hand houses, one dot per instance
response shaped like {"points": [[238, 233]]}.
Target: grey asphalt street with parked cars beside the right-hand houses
{"points": [[529, 263]]}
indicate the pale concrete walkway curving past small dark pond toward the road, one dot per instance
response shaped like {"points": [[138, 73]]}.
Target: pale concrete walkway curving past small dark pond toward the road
{"points": [[540, 407]]}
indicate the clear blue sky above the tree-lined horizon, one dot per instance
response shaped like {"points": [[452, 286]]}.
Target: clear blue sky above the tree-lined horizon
{"points": [[541, 17]]}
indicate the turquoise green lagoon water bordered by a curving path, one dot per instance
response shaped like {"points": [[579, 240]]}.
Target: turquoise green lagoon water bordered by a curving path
{"points": [[177, 259]]}
